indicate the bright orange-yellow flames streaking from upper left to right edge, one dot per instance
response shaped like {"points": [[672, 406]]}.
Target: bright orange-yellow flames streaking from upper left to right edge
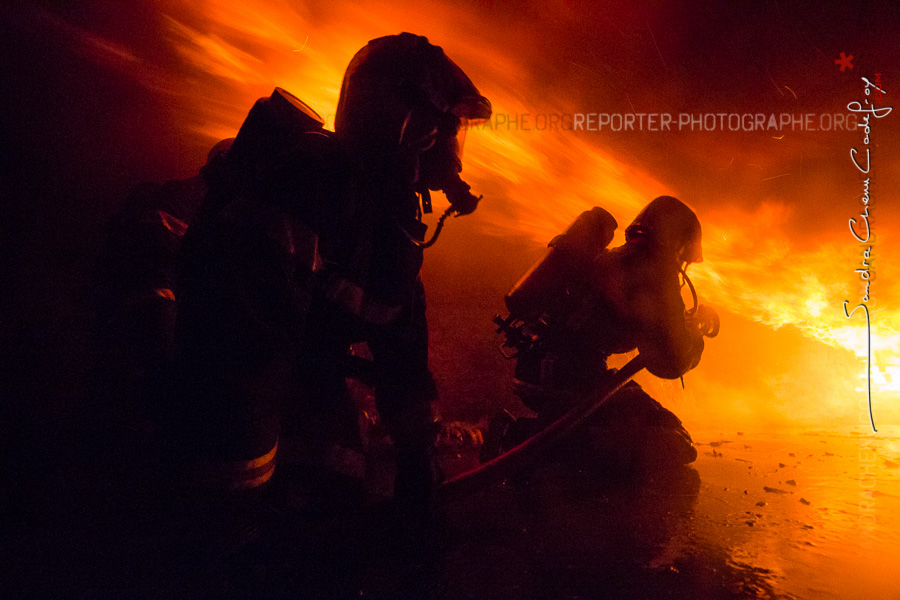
{"points": [[227, 54]]}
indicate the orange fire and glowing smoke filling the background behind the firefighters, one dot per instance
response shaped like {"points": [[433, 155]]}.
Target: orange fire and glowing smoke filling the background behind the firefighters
{"points": [[779, 258]]}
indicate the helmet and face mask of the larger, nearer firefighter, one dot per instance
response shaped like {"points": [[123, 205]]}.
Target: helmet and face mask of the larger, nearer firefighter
{"points": [[403, 99]]}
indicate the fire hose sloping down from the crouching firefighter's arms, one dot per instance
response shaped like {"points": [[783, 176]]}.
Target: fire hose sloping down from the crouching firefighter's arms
{"points": [[520, 456]]}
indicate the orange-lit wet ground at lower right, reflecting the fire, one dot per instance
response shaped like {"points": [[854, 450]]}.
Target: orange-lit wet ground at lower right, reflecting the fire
{"points": [[814, 513]]}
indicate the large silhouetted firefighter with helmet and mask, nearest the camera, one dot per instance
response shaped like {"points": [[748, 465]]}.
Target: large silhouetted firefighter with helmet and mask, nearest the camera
{"points": [[310, 241]]}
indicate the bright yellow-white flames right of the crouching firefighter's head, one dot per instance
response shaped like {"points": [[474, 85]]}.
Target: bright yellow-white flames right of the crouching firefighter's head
{"points": [[754, 269]]}
